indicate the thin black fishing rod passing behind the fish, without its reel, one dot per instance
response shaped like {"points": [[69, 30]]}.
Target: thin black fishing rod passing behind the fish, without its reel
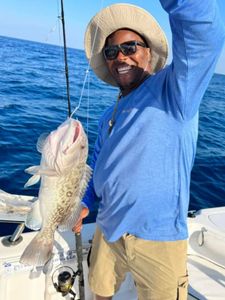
{"points": [[78, 238]]}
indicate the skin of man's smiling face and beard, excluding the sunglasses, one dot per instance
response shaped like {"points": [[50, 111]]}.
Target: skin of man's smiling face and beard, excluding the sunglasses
{"points": [[128, 71]]}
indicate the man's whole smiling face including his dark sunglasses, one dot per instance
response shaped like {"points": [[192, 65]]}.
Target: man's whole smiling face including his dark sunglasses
{"points": [[128, 59]]}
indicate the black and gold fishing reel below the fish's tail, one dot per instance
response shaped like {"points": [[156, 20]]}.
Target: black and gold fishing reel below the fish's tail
{"points": [[63, 279]]}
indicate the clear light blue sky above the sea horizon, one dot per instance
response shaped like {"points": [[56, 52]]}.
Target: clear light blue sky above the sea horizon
{"points": [[37, 20]]}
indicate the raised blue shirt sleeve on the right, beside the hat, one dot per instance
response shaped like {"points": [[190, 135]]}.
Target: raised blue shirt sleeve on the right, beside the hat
{"points": [[197, 39]]}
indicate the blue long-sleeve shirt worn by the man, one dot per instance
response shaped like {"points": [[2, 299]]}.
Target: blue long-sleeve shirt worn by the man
{"points": [[142, 169]]}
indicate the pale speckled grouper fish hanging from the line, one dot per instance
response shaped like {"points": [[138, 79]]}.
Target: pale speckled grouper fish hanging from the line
{"points": [[64, 176]]}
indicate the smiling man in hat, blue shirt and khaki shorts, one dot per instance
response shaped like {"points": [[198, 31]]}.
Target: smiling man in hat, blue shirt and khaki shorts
{"points": [[146, 144]]}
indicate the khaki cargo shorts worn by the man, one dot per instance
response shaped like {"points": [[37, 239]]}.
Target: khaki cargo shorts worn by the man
{"points": [[158, 268]]}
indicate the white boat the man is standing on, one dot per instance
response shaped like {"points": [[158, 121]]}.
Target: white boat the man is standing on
{"points": [[60, 280]]}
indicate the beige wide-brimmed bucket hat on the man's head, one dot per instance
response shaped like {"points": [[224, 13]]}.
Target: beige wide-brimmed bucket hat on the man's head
{"points": [[118, 16]]}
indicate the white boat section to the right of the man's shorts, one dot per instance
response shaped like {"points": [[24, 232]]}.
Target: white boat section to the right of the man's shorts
{"points": [[206, 254]]}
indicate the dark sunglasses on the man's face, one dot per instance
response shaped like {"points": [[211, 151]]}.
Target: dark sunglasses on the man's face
{"points": [[127, 48]]}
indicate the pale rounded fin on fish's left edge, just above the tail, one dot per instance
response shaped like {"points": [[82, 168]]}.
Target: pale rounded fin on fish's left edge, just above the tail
{"points": [[34, 219]]}
